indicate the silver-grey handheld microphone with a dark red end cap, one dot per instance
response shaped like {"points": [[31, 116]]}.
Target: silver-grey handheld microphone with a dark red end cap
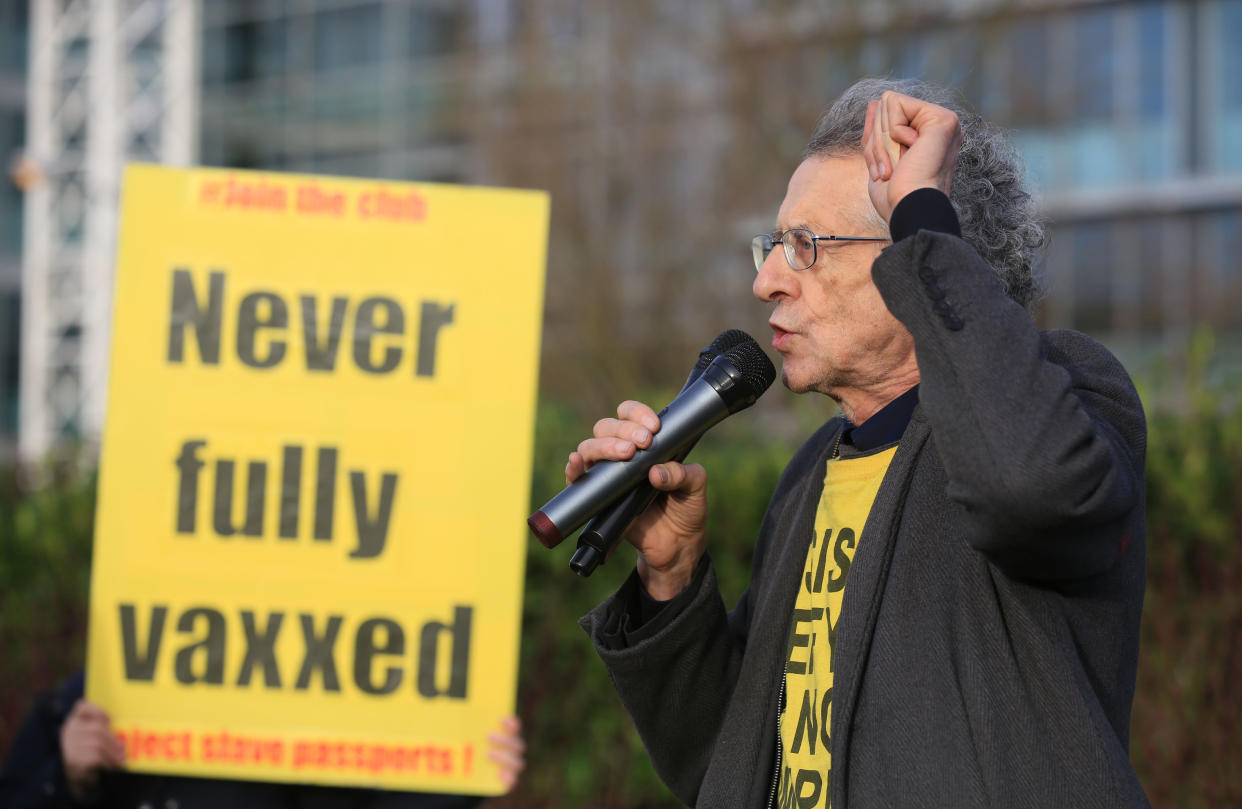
{"points": [[731, 383]]}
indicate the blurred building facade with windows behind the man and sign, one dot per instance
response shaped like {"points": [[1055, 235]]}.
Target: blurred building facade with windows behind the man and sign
{"points": [[666, 134]]}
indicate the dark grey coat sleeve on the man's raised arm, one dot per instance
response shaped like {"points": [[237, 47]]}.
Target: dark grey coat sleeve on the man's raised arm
{"points": [[1043, 436]]}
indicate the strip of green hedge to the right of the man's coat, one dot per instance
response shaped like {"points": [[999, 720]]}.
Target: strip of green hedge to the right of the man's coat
{"points": [[1185, 740]]}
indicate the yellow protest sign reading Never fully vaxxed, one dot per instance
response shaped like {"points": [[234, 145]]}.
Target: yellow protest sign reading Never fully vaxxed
{"points": [[315, 477]]}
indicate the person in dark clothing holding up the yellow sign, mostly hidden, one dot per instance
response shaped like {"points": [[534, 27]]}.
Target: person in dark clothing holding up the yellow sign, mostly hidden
{"points": [[66, 755]]}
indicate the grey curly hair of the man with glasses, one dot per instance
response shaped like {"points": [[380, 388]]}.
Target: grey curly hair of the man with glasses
{"points": [[997, 213]]}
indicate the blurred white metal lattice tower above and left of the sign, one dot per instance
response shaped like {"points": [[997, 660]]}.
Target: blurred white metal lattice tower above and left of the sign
{"points": [[110, 81]]}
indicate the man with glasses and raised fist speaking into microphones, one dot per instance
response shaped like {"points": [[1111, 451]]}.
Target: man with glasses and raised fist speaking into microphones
{"points": [[946, 592]]}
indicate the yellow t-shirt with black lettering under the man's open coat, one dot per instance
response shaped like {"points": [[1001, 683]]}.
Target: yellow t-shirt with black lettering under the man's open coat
{"points": [[850, 488]]}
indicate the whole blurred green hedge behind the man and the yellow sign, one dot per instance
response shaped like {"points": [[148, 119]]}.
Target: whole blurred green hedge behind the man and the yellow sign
{"points": [[583, 747]]}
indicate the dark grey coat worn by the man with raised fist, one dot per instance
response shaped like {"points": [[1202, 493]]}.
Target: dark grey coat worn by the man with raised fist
{"points": [[988, 643]]}
